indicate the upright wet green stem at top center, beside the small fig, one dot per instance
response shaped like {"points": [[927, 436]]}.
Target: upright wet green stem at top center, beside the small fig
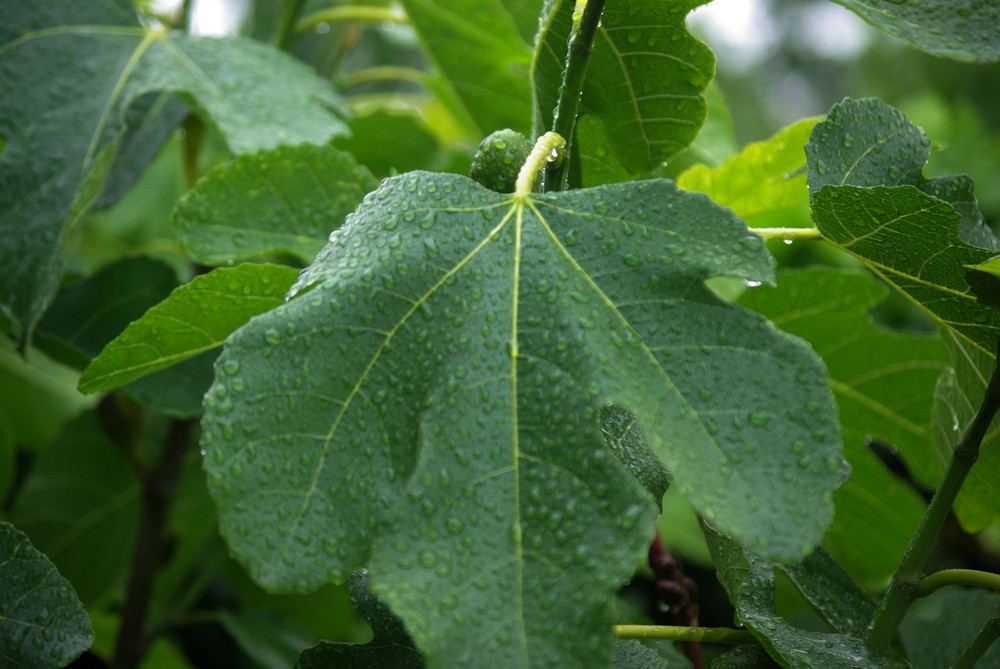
{"points": [[581, 46]]}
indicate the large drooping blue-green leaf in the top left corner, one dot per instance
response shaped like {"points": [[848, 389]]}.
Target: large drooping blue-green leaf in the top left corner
{"points": [[69, 84]]}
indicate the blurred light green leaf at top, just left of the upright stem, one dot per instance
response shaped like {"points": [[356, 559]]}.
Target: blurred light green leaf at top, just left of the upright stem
{"points": [[478, 47]]}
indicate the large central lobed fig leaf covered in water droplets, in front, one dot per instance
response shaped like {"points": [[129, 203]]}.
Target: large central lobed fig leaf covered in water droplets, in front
{"points": [[428, 403]]}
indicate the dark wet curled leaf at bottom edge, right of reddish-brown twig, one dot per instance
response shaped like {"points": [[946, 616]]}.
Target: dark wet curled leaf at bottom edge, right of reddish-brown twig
{"points": [[751, 587]]}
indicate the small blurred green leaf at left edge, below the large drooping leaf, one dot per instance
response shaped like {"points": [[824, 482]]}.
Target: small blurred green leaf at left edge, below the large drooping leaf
{"points": [[37, 396]]}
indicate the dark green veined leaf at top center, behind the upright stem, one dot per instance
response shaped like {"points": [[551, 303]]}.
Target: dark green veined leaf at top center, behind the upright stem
{"points": [[645, 86]]}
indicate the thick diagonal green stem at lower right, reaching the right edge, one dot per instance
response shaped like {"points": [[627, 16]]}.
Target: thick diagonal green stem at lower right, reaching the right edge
{"points": [[905, 584]]}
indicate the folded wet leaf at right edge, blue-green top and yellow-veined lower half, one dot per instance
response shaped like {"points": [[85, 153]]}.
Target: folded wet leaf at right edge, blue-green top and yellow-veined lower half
{"points": [[870, 199]]}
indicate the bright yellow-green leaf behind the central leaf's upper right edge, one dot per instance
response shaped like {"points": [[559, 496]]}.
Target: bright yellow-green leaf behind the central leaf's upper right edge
{"points": [[764, 177]]}
